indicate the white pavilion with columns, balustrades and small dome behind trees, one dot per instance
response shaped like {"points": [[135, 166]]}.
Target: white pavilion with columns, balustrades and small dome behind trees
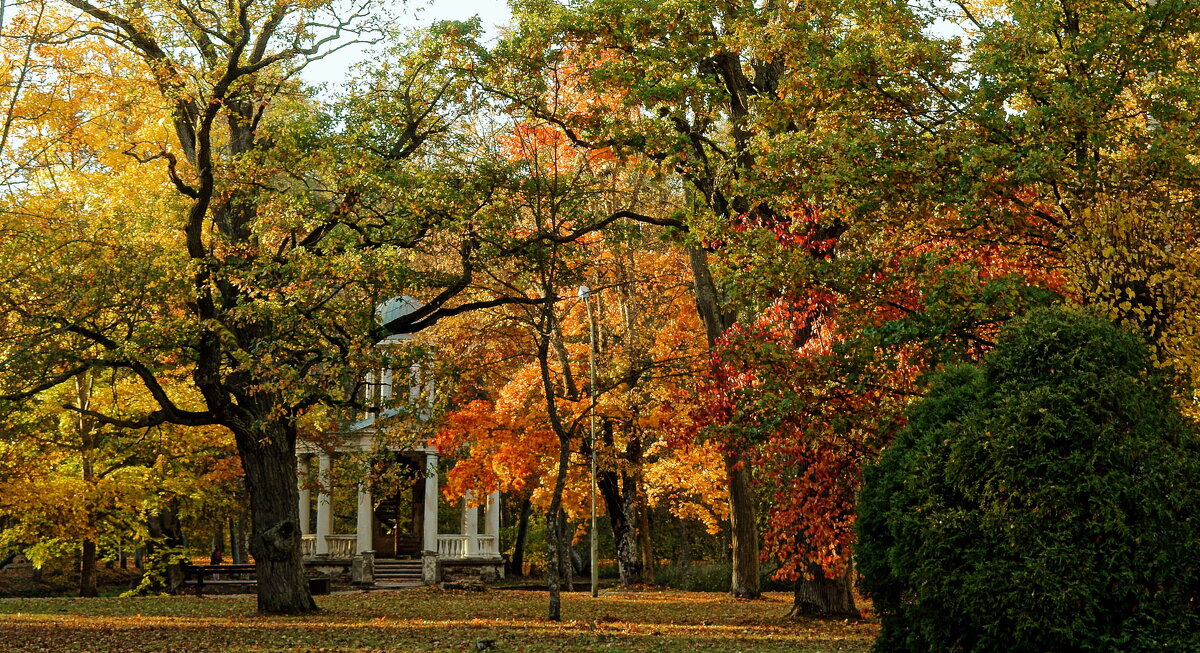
{"points": [[395, 541]]}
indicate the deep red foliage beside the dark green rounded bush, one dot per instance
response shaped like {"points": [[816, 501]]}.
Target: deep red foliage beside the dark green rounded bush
{"points": [[806, 396]]}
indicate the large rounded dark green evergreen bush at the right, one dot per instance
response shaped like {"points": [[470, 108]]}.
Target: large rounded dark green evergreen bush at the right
{"points": [[1043, 501]]}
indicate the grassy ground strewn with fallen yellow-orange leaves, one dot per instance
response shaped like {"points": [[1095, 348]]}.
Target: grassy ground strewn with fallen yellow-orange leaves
{"points": [[428, 620]]}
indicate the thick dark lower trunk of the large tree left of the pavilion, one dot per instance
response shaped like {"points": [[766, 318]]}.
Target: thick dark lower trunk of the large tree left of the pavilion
{"points": [[269, 462]]}
